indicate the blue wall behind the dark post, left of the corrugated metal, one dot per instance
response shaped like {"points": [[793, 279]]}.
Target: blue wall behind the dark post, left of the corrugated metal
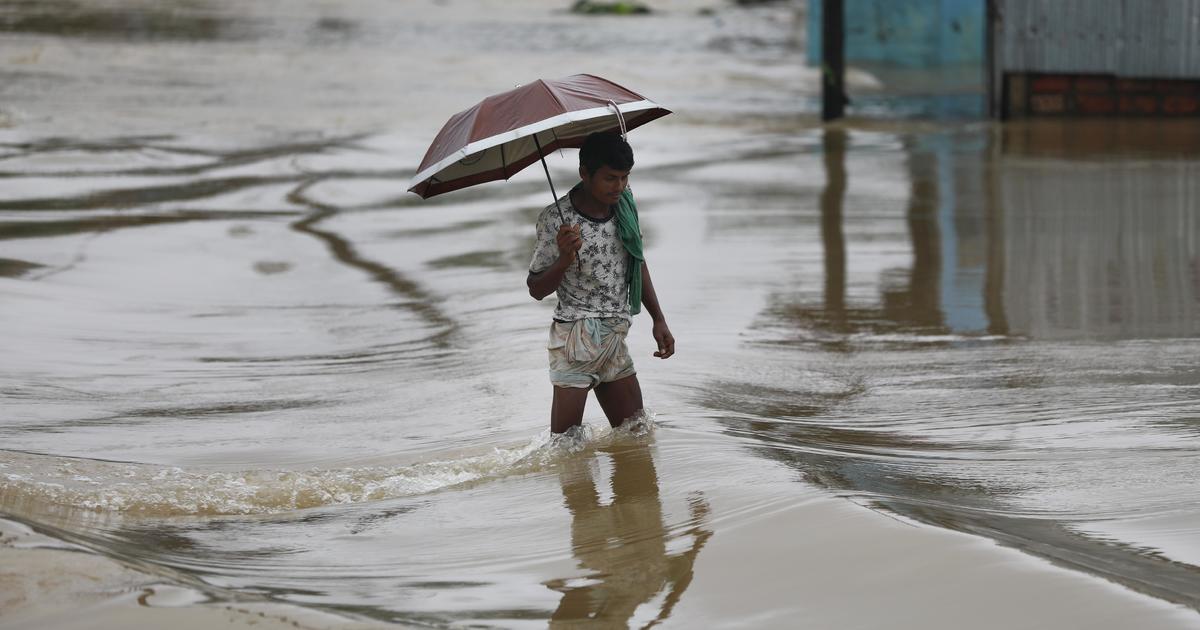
{"points": [[922, 34]]}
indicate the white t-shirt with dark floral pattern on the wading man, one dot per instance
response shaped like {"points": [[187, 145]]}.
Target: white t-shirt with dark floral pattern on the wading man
{"points": [[596, 285]]}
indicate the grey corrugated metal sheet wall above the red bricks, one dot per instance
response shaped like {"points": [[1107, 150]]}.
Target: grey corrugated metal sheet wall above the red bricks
{"points": [[1125, 38]]}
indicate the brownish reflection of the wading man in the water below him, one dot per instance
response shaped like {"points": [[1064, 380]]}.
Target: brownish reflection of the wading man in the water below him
{"points": [[625, 544]]}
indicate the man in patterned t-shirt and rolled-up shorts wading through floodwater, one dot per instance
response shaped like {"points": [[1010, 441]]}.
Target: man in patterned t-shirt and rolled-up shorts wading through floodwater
{"points": [[595, 263]]}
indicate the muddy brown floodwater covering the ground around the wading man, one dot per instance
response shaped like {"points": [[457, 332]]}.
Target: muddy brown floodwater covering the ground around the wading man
{"points": [[931, 374]]}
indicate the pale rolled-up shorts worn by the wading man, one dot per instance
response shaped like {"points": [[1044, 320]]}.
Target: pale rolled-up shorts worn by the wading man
{"points": [[589, 352]]}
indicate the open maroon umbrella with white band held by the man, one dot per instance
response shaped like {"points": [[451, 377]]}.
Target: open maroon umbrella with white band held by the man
{"points": [[509, 131]]}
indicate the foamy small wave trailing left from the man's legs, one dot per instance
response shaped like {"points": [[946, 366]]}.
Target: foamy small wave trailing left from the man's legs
{"points": [[147, 490]]}
